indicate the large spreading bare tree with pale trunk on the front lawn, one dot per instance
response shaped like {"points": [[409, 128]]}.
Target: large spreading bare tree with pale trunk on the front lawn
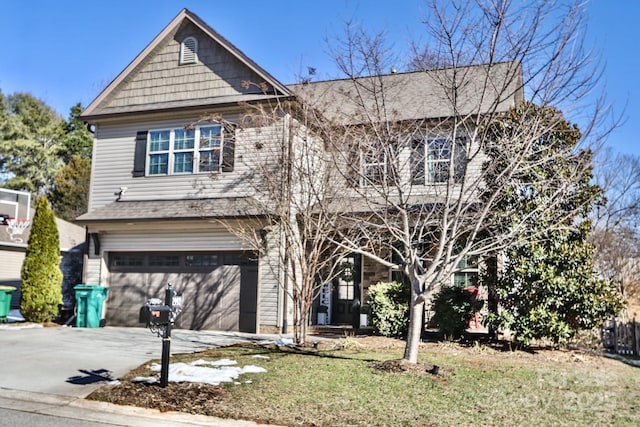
{"points": [[410, 149]]}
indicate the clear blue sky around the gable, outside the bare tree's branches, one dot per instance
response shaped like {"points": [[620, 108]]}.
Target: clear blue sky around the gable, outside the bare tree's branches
{"points": [[65, 52]]}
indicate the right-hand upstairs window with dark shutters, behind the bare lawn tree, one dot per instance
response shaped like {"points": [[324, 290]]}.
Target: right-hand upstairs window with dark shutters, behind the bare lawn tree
{"points": [[433, 158]]}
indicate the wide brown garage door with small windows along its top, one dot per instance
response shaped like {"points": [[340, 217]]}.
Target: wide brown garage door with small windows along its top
{"points": [[219, 289]]}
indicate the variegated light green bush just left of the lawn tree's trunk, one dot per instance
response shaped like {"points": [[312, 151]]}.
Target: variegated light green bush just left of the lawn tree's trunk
{"points": [[389, 308]]}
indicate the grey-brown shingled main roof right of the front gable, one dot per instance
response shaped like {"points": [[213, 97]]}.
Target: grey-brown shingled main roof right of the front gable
{"points": [[417, 95]]}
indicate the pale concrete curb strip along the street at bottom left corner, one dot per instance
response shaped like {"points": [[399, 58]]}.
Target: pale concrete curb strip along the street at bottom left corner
{"points": [[102, 412]]}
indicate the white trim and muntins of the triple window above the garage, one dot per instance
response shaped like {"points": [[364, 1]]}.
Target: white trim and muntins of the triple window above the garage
{"points": [[196, 151]]}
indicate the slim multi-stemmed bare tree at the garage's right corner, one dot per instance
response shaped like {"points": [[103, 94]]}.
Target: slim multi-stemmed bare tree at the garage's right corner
{"points": [[285, 181]]}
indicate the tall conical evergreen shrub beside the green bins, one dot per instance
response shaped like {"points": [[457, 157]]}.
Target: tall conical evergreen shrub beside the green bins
{"points": [[41, 275]]}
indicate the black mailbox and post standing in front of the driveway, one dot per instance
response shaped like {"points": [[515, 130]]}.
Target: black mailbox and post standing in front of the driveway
{"points": [[160, 318]]}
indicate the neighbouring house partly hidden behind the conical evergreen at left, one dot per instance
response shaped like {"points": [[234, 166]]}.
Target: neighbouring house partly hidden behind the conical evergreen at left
{"points": [[15, 226]]}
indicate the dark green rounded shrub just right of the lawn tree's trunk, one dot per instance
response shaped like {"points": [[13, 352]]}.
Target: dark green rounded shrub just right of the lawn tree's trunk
{"points": [[453, 309]]}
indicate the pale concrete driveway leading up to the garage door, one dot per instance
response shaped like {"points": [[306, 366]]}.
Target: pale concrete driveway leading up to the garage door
{"points": [[76, 361]]}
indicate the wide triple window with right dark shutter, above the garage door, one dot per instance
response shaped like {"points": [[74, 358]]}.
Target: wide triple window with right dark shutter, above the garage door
{"points": [[186, 151]]}
